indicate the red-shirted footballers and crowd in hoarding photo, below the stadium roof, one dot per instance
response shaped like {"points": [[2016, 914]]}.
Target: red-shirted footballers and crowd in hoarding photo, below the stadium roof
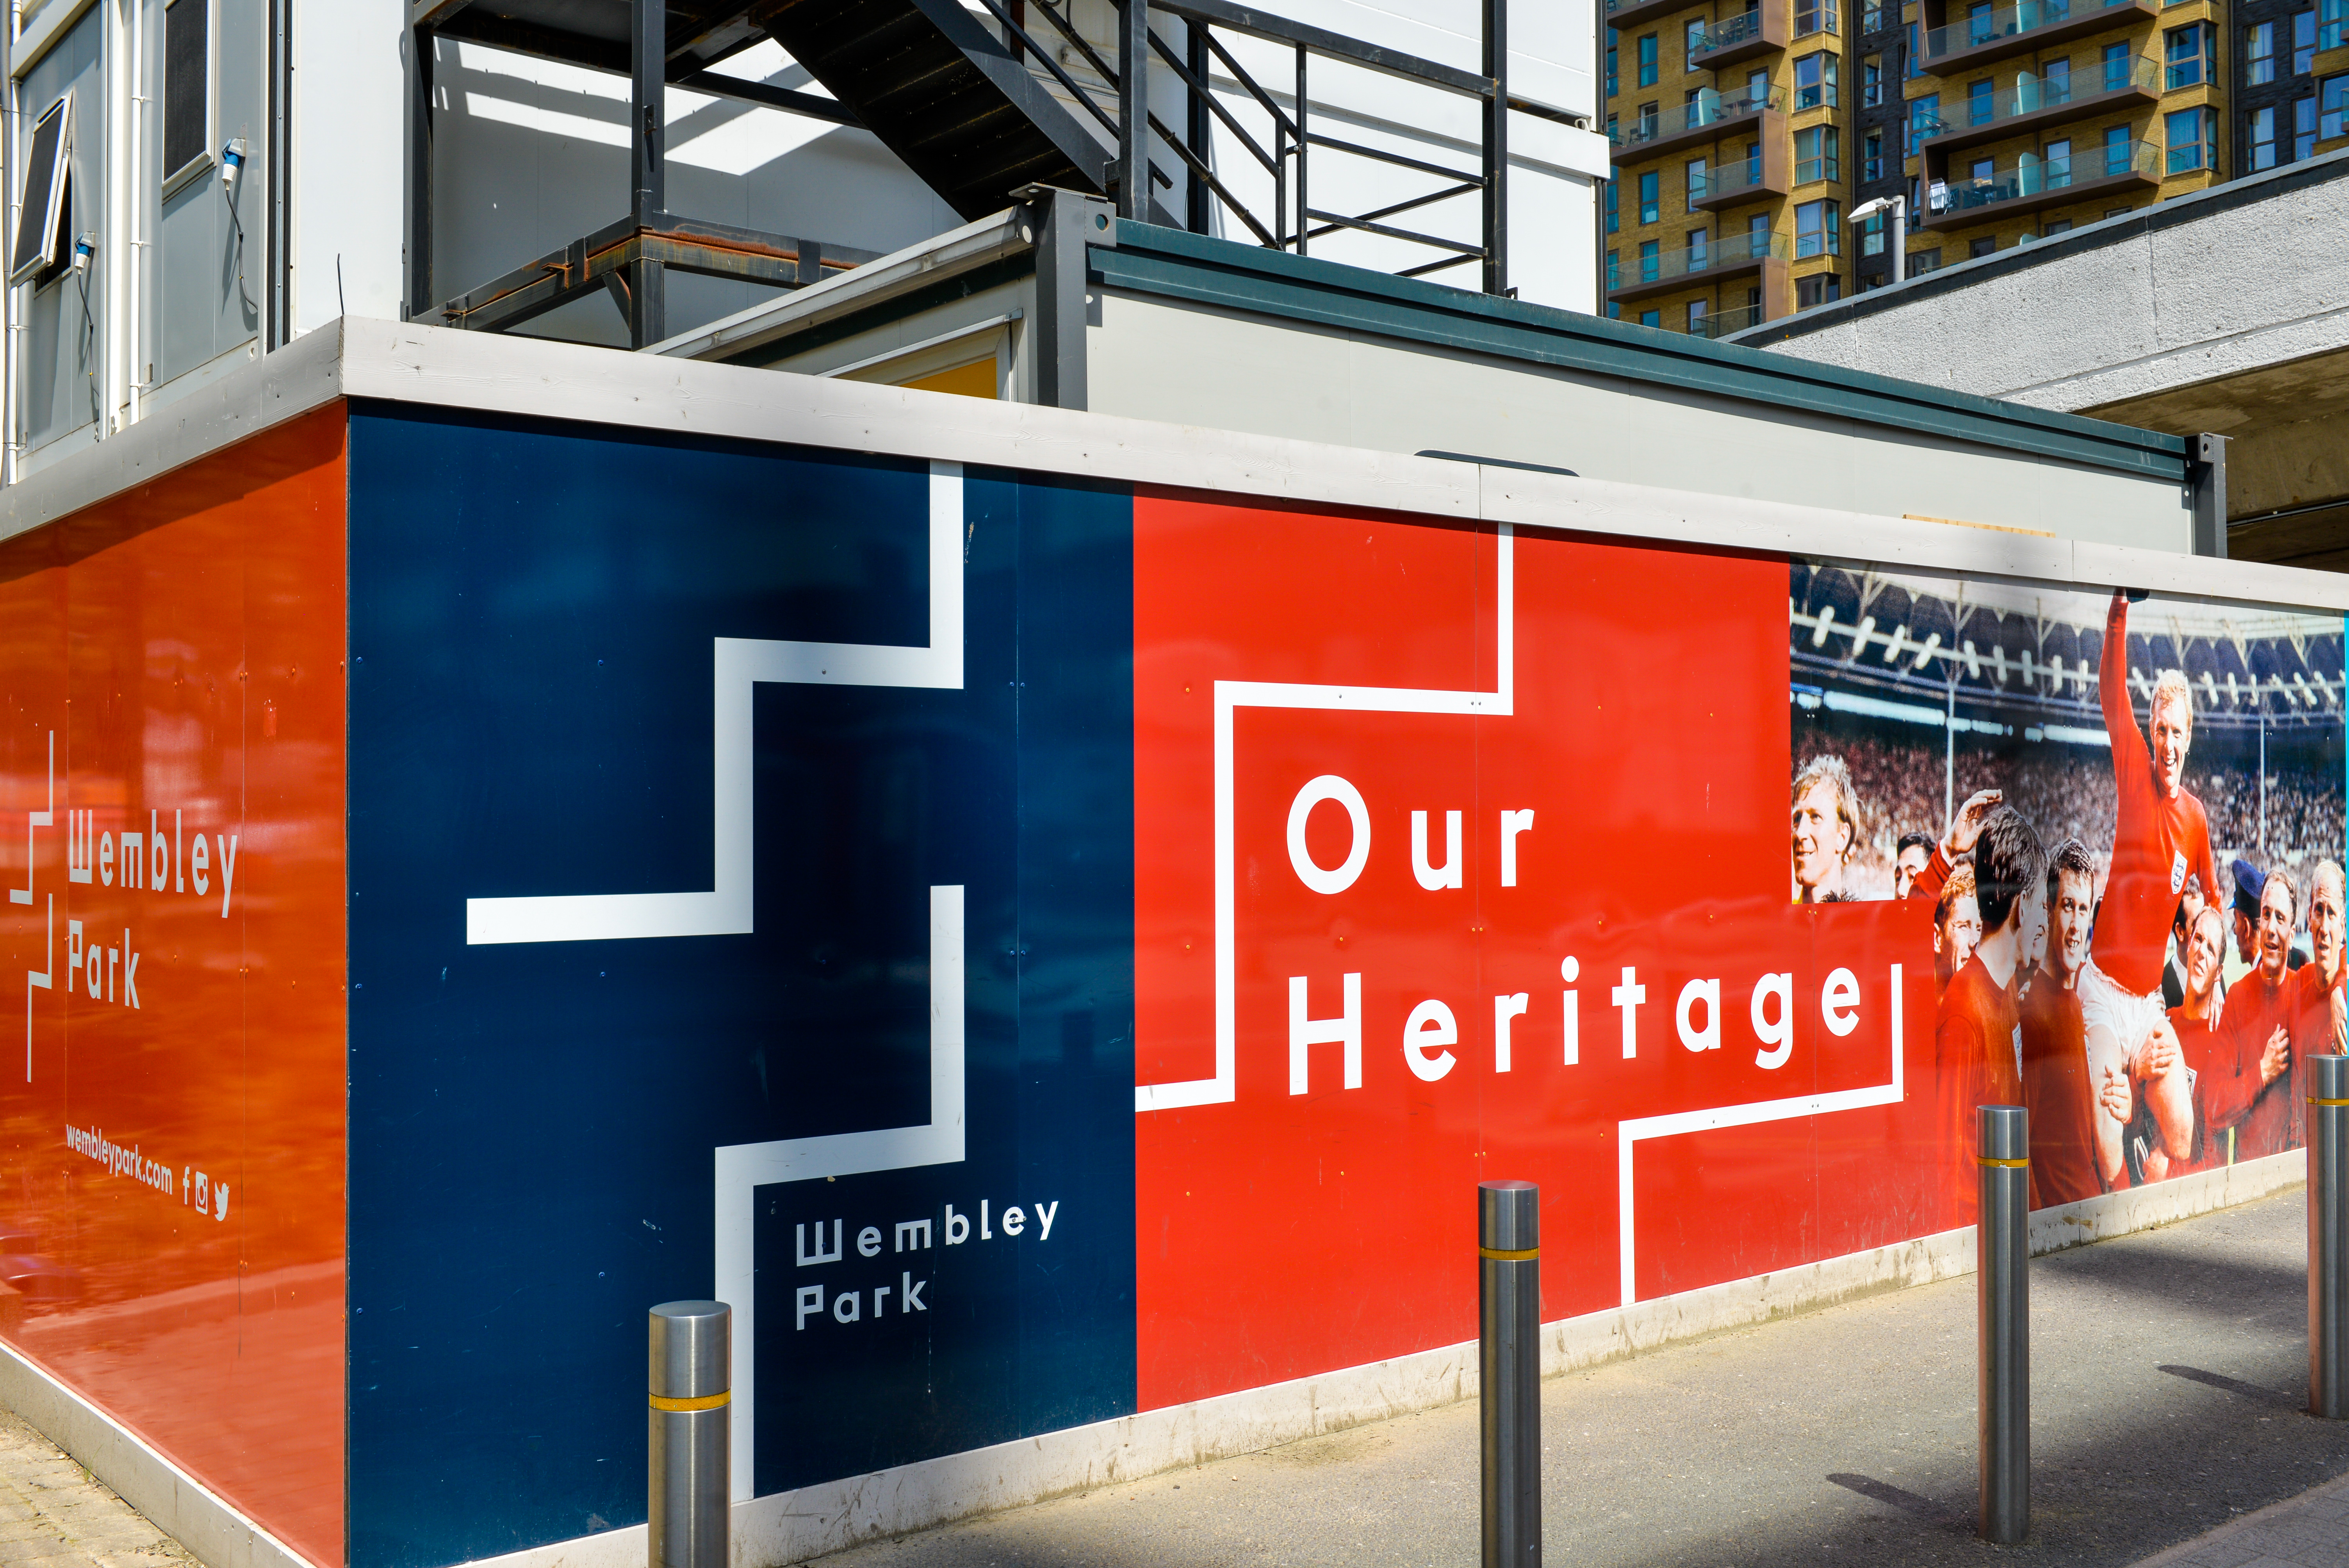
{"points": [[2139, 947]]}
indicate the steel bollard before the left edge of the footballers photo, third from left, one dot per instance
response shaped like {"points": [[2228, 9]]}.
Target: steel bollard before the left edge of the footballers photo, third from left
{"points": [[2003, 1245]]}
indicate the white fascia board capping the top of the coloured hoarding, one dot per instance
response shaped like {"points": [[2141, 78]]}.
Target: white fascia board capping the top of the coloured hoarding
{"points": [[565, 381]]}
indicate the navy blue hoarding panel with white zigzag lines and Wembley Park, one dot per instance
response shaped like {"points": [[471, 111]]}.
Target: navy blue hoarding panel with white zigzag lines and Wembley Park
{"points": [[727, 921]]}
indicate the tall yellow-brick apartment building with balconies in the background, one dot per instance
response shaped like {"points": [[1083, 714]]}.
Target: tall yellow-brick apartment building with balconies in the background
{"points": [[1742, 137]]}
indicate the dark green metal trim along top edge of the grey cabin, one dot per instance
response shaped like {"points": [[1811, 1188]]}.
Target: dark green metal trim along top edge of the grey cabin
{"points": [[1232, 276]]}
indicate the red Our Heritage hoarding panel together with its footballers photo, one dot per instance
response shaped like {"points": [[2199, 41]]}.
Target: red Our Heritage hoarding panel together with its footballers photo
{"points": [[1709, 893]]}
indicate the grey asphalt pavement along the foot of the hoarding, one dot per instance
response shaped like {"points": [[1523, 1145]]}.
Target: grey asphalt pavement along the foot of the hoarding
{"points": [[2169, 1374]]}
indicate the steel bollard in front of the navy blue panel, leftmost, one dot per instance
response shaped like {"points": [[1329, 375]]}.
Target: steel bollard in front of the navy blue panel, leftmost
{"points": [[692, 1365]]}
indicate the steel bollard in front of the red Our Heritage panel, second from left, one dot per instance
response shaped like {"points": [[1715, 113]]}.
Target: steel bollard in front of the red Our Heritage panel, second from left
{"points": [[1509, 1360]]}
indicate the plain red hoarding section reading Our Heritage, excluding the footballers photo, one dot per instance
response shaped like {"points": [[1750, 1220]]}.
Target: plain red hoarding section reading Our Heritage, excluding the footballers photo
{"points": [[1500, 785]]}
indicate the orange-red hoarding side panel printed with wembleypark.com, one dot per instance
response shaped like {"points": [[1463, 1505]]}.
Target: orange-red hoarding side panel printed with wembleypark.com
{"points": [[173, 844]]}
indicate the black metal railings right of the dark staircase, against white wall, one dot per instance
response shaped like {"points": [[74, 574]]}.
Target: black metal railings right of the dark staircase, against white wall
{"points": [[1281, 149]]}
